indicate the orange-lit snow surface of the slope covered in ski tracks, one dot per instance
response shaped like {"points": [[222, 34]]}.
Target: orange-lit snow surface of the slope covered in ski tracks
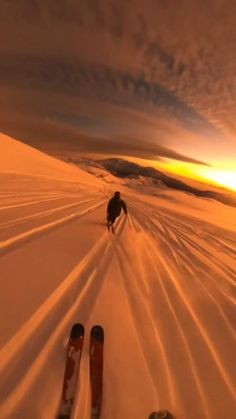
{"points": [[163, 287]]}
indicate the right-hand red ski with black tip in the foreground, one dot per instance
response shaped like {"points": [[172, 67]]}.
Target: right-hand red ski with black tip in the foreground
{"points": [[96, 369]]}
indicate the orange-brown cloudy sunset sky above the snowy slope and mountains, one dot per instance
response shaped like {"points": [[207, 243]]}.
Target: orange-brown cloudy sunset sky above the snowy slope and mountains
{"points": [[153, 80]]}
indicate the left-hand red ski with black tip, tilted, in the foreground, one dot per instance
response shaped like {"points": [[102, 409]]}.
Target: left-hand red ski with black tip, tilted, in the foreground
{"points": [[74, 351]]}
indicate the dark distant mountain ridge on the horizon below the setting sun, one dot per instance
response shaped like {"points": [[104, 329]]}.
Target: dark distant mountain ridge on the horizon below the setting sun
{"points": [[126, 169]]}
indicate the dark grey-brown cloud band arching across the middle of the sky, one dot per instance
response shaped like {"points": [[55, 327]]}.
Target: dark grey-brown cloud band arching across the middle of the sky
{"points": [[103, 83]]}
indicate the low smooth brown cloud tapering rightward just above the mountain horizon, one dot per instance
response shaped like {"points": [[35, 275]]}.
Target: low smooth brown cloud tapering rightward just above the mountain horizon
{"points": [[60, 137]]}
